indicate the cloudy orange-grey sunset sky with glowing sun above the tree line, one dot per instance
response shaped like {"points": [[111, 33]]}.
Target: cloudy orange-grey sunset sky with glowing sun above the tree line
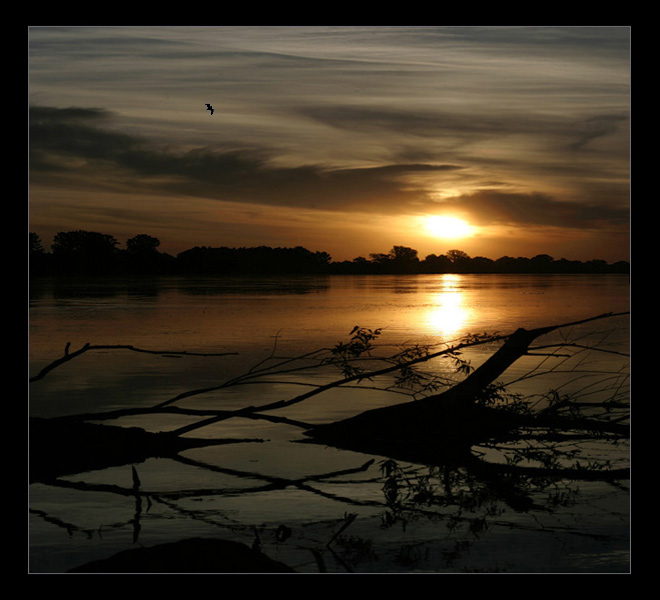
{"points": [[347, 139]]}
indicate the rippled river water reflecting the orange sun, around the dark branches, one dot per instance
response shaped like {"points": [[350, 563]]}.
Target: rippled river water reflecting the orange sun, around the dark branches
{"points": [[257, 318]]}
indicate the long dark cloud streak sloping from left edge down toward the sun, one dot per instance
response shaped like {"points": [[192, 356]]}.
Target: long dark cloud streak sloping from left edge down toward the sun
{"points": [[73, 144]]}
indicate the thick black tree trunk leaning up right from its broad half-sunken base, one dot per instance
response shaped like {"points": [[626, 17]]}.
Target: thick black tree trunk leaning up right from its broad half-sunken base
{"points": [[445, 426]]}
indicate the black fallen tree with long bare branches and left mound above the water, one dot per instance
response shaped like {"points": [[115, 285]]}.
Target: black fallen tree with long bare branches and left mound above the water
{"points": [[436, 429]]}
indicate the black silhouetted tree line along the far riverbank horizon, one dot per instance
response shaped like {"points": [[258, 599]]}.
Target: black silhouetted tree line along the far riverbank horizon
{"points": [[92, 253]]}
